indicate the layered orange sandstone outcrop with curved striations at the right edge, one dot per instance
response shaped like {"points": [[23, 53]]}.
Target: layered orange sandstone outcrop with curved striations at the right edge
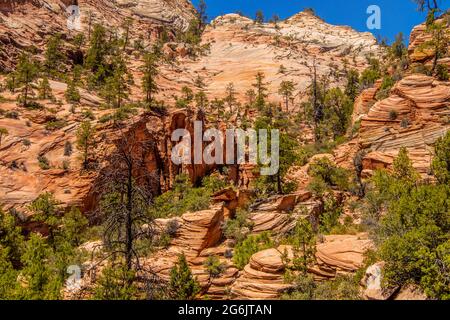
{"points": [[414, 116]]}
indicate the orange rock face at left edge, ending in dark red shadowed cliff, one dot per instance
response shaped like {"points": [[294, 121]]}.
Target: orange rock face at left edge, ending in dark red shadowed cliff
{"points": [[30, 140]]}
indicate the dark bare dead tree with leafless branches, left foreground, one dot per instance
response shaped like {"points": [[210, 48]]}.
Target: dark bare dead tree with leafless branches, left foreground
{"points": [[126, 196]]}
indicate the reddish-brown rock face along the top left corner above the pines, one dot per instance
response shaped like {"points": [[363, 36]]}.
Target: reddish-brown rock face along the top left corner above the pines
{"points": [[29, 24]]}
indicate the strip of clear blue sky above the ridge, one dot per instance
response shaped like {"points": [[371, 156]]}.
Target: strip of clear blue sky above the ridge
{"points": [[396, 15]]}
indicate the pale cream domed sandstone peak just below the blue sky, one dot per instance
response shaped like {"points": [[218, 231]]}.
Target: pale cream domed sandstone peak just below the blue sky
{"points": [[239, 48]]}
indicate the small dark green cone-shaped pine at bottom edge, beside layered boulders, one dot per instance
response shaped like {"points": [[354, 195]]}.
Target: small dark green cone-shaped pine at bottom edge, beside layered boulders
{"points": [[182, 285]]}
